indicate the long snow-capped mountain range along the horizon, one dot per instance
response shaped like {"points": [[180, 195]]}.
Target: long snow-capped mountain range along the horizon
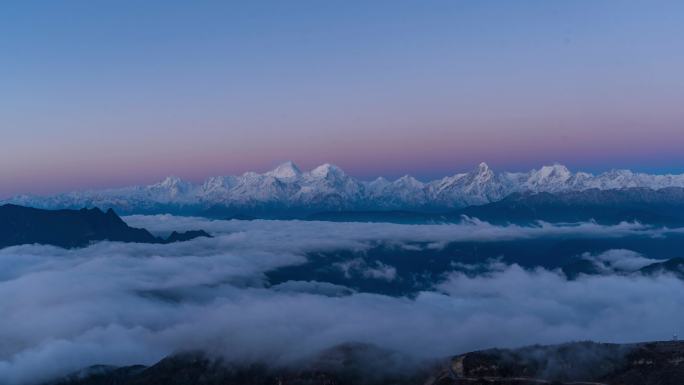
{"points": [[327, 187]]}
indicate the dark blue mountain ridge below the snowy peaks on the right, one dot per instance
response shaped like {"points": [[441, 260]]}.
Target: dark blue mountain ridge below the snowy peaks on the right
{"points": [[656, 207]]}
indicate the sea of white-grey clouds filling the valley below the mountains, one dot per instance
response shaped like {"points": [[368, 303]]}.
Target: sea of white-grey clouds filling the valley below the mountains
{"points": [[122, 304]]}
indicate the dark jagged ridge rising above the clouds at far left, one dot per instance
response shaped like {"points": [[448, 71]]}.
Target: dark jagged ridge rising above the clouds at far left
{"points": [[72, 228]]}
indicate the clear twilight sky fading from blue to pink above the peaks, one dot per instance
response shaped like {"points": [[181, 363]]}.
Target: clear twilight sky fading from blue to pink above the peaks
{"points": [[110, 93]]}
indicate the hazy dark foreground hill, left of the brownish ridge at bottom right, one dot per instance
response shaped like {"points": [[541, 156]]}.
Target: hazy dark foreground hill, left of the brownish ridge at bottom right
{"points": [[347, 364]]}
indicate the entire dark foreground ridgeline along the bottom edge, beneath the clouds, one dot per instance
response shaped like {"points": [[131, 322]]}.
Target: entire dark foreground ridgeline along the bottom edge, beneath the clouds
{"points": [[581, 363]]}
